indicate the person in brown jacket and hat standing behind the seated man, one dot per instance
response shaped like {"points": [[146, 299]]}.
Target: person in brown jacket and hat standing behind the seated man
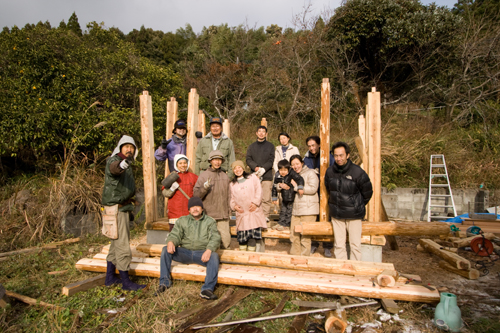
{"points": [[212, 187]]}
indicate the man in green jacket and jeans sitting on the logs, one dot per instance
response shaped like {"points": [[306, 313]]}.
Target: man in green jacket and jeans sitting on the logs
{"points": [[194, 240]]}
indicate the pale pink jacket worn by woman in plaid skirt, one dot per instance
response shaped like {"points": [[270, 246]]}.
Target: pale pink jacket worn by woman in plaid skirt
{"points": [[243, 195]]}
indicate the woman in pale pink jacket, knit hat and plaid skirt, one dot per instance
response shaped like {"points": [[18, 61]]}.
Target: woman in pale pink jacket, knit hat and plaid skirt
{"points": [[246, 197]]}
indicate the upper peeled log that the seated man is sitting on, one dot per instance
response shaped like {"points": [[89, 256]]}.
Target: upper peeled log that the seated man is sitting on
{"points": [[313, 264]]}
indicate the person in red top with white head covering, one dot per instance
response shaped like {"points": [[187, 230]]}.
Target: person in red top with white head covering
{"points": [[177, 201]]}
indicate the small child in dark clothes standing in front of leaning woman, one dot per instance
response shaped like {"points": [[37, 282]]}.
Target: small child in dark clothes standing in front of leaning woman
{"points": [[283, 183]]}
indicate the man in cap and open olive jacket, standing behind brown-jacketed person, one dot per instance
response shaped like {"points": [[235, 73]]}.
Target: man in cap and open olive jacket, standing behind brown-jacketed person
{"points": [[215, 140]]}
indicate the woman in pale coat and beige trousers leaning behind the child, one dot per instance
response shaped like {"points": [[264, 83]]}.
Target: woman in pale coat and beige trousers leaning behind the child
{"points": [[305, 207]]}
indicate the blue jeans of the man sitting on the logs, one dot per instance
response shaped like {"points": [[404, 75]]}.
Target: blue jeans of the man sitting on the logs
{"points": [[186, 256]]}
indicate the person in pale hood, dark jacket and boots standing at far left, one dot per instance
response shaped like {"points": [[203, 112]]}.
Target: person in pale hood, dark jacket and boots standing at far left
{"points": [[119, 188]]}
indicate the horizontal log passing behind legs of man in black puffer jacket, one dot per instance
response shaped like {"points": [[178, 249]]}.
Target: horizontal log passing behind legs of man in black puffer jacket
{"points": [[379, 228]]}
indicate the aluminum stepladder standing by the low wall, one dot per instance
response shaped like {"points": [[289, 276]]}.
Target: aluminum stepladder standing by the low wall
{"points": [[438, 178]]}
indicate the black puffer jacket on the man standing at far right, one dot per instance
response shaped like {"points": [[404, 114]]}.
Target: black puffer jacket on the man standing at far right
{"points": [[349, 189]]}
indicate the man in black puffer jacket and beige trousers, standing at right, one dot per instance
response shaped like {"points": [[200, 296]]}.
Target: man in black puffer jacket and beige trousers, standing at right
{"points": [[350, 189]]}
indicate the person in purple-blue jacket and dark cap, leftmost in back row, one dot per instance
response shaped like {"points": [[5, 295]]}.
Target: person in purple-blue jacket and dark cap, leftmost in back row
{"points": [[175, 145]]}
